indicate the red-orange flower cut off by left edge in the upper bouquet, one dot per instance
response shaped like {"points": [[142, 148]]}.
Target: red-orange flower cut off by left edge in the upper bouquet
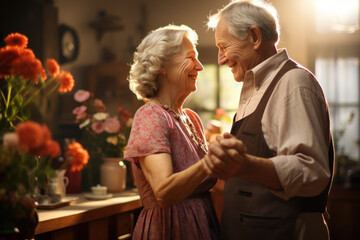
{"points": [[7, 56]]}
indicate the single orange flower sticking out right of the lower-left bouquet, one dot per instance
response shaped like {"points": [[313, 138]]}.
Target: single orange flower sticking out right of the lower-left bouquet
{"points": [[78, 156]]}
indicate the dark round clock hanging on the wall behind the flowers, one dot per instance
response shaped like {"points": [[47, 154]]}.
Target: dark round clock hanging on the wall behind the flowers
{"points": [[69, 44]]}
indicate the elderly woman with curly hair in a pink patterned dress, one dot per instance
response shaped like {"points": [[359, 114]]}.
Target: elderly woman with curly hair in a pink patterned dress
{"points": [[167, 143]]}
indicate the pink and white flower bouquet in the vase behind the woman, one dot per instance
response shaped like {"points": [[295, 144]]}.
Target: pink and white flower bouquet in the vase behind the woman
{"points": [[102, 135]]}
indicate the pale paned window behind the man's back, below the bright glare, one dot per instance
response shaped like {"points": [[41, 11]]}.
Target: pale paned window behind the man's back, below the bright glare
{"points": [[340, 81]]}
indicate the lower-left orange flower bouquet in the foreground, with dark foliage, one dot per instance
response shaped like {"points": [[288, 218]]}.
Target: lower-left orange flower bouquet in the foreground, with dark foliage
{"points": [[27, 159]]}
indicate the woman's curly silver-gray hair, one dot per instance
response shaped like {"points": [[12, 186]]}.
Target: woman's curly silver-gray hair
{"points": [[153, 53]]}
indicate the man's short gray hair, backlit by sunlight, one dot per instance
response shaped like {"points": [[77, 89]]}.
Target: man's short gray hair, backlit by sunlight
{"points": [[242, 14]]}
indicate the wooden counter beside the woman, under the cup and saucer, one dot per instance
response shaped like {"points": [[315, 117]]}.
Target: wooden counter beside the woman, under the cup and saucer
{"points": [[112, 218]]}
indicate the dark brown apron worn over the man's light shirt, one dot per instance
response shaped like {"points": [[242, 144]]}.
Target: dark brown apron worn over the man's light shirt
{"points": [[250, 210]]}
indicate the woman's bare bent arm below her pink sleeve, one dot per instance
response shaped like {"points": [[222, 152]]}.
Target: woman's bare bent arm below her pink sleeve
{"points": [[169, 187]]}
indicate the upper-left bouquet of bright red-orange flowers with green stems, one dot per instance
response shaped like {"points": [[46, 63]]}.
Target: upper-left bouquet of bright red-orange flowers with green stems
{"points": [[23, 80]]}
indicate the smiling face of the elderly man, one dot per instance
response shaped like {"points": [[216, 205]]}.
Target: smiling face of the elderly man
{"points": [[239, 55]]}
